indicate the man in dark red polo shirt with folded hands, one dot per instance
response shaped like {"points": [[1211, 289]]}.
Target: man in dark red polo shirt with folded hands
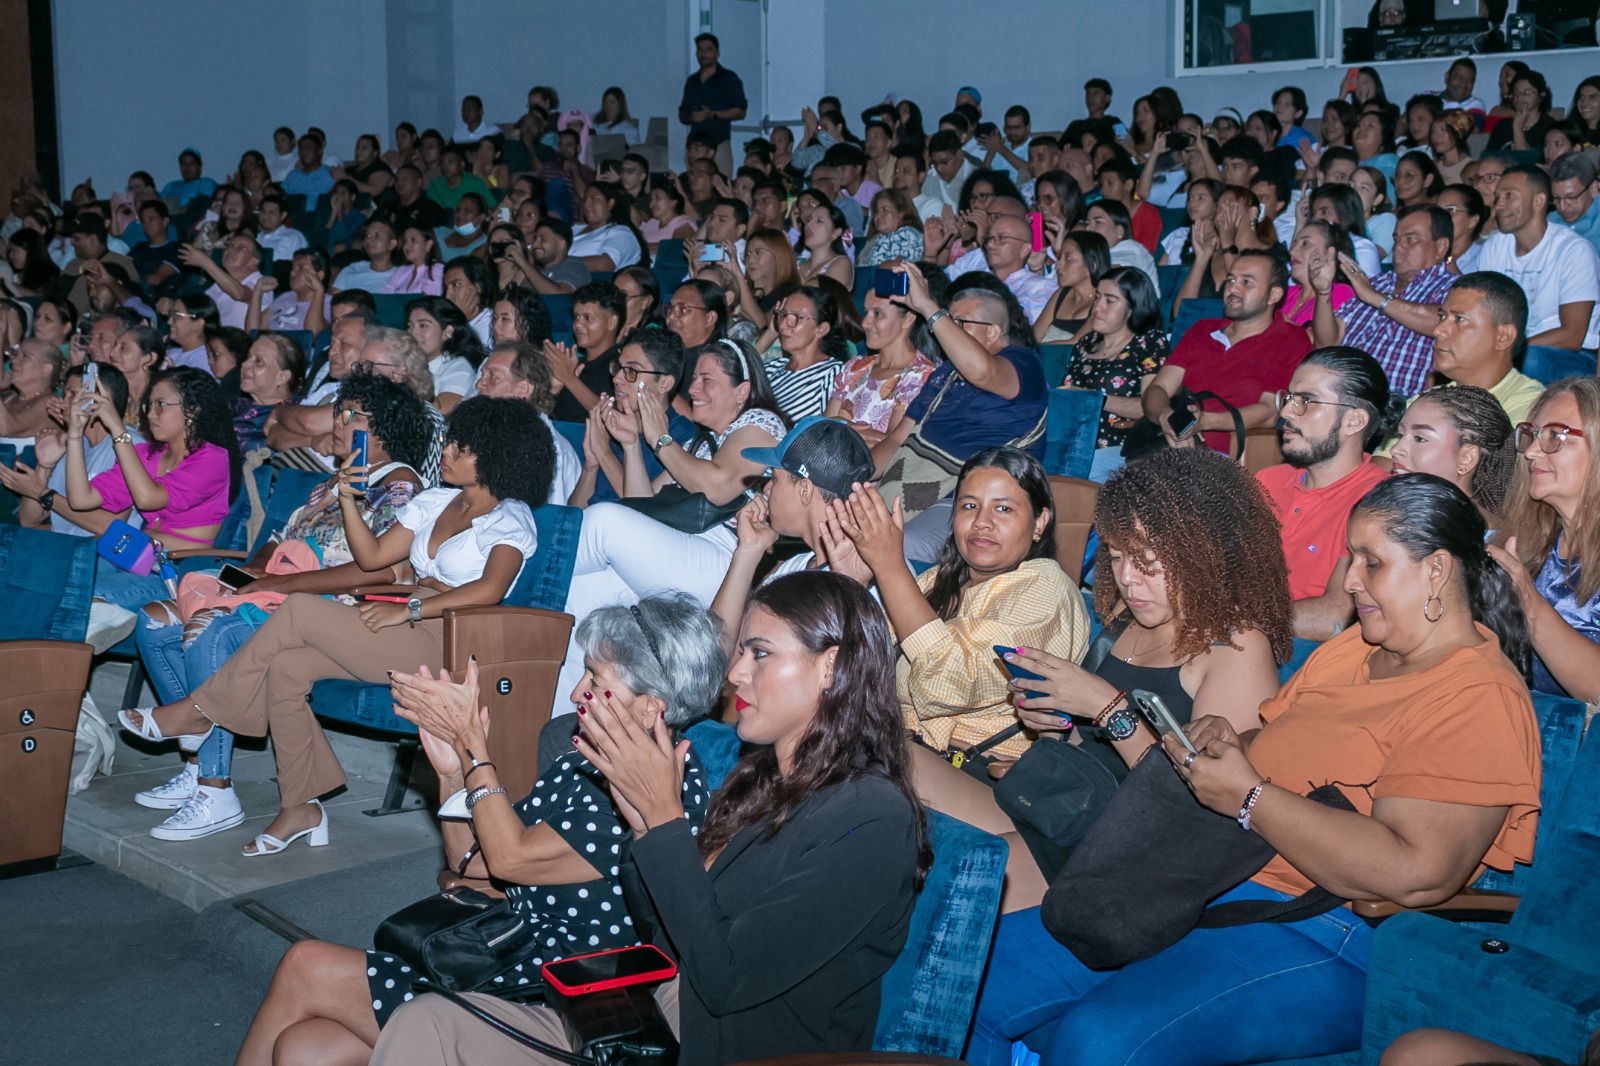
{"points": [[1242, 359]]}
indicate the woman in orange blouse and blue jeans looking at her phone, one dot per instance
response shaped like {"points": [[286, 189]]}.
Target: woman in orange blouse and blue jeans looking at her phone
{"points": [[1417, 715]]}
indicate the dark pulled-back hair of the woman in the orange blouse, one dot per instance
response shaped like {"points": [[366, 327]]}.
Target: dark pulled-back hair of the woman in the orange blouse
{"points": [[1426, 515]]}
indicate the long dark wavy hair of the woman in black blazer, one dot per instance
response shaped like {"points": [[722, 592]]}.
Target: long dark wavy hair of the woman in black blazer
{"points": [[857, 731]]}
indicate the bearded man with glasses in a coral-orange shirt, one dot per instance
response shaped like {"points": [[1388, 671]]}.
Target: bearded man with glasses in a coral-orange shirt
{"points": [[1337, 409]]}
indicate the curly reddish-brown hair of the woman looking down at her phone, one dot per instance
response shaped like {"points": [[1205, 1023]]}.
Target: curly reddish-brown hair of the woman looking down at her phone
{"points": [[1214, 534]]}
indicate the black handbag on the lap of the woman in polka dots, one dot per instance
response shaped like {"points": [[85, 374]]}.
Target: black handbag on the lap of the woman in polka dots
{"points": [[460, 940]]}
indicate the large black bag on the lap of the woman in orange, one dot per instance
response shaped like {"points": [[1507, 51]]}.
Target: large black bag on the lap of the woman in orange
{"points": [[1146, 870]]}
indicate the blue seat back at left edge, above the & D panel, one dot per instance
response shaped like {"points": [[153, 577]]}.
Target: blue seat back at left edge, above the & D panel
{"points": [[46, 583]]}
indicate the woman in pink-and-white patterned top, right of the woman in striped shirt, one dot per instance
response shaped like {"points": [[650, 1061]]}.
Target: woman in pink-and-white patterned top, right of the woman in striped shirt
{"points": [[874, 390]]}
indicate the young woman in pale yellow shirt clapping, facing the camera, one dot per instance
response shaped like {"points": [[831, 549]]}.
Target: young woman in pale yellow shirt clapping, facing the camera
{"points": [[996, 583]]}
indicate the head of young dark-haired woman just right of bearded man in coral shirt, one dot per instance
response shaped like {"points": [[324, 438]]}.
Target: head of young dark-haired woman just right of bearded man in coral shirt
{"points": [[1462, 435]]}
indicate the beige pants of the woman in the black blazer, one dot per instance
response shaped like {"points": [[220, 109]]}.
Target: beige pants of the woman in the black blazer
{"points": [[433, 1032]]}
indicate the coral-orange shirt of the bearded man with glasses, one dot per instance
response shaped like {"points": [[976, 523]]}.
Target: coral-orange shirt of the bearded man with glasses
{"points": [[1314, 519]]}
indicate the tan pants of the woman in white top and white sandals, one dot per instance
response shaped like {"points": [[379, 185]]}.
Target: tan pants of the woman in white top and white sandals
{"points": [[263, 687]]}
